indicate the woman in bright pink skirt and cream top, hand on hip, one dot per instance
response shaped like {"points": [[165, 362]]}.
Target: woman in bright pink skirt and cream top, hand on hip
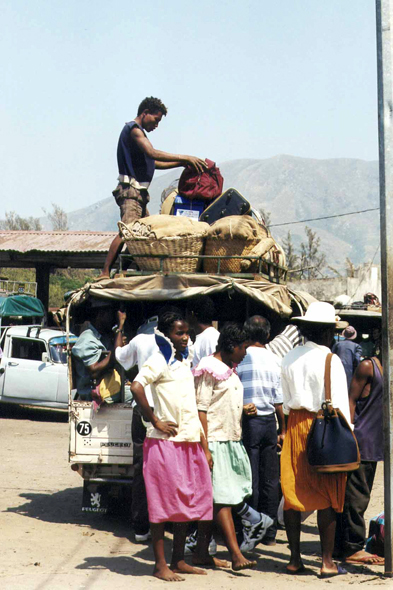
{"points": [[175, 468]]}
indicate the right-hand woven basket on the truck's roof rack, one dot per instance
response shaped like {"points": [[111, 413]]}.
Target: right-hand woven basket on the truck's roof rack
{"points": [[231, 247]]}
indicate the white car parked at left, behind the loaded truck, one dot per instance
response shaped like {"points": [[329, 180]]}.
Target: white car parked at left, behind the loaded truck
{"points": [[33, 367]]}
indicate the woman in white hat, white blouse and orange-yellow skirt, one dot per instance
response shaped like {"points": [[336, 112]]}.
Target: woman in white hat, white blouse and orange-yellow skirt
{"points": [[303, 370]]}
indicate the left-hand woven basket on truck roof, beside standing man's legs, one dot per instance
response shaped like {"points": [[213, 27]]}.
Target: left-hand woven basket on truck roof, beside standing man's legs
{"points": [[186, 245]]}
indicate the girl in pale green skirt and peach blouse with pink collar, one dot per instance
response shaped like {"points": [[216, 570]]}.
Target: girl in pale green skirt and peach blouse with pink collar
{"points": [[219, 394]]}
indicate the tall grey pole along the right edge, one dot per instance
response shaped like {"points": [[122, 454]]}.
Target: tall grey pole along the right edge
{"points": [[384, 14]]}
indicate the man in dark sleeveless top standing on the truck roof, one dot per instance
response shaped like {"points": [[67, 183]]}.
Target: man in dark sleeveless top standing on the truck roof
{"points": [[137, 161]]}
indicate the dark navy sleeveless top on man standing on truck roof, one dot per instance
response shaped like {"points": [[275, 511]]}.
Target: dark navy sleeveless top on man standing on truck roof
{"points": [[131, 160]]}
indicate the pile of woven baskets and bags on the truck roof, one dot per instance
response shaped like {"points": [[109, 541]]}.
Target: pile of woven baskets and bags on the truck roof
{"points": [[196, 218]]}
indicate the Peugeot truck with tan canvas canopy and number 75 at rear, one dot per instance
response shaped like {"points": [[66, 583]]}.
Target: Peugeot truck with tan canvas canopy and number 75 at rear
{"points": [[100, 443]]}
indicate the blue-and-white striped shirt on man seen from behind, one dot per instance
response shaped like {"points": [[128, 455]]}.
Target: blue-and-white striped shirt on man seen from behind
{"points": [[260, 374]]}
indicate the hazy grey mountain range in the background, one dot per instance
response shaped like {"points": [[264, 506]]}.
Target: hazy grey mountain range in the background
{"points": [[291, 189]]}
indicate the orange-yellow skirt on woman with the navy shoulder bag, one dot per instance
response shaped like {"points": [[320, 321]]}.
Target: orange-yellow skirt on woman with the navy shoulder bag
{"points": [[304, 489]]}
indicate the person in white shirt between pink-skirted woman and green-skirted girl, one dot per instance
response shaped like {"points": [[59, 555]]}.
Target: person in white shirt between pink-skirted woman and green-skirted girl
{"points": [[201, 313]]}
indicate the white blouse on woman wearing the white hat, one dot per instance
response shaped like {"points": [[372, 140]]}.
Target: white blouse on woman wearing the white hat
{"points": [[302, 379]]}
